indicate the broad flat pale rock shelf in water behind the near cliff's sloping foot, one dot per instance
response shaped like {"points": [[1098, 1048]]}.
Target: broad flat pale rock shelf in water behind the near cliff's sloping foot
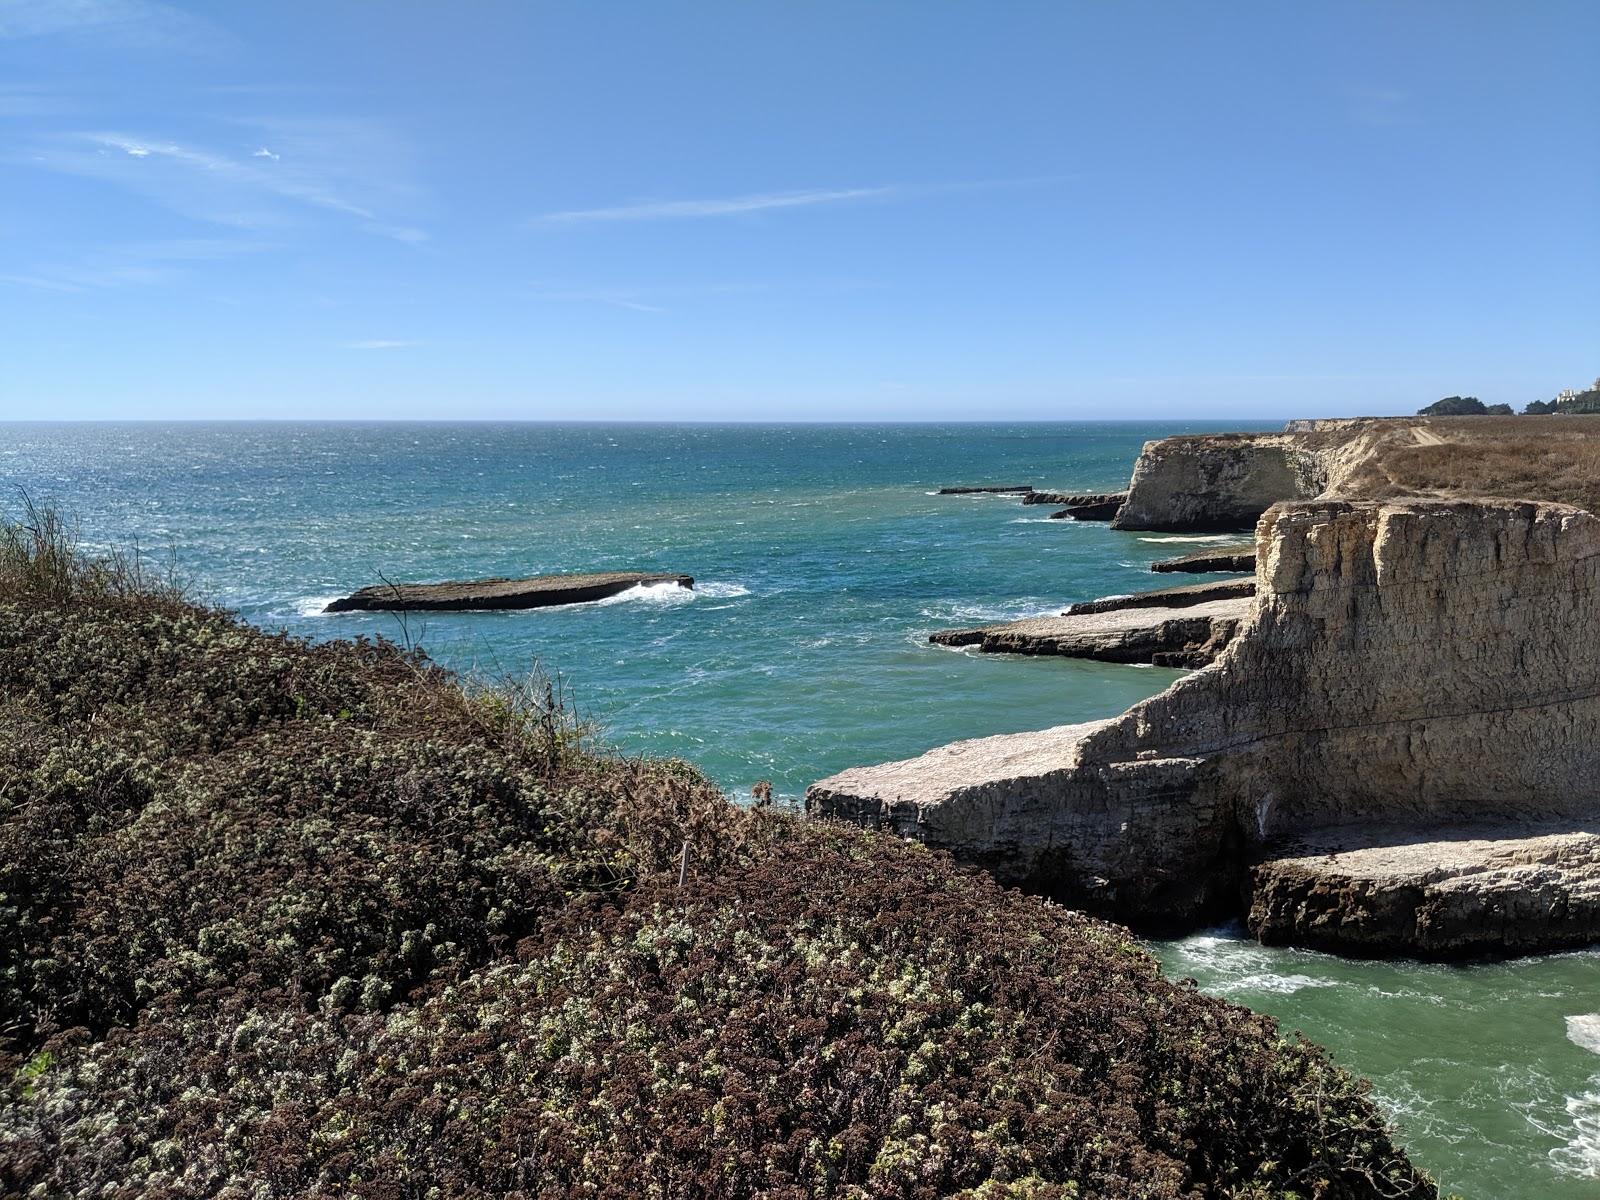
{"points": [[1178, 636]]}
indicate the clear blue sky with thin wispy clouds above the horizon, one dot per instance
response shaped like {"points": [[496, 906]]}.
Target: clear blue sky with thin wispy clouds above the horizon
{"points": [[794, 210]]}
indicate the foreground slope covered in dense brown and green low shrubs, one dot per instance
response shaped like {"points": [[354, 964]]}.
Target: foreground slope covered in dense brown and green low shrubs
{"points": [[289, 921]]}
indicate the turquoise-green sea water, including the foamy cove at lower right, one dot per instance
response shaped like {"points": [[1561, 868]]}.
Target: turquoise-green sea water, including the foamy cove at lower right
{"points": [[823, 562]]}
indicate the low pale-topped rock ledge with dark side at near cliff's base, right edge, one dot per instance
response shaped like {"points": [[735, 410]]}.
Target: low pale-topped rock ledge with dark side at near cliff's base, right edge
{"points": [[1438, 894]]}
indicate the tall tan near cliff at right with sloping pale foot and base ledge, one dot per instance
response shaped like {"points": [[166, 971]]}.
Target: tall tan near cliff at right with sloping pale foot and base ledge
{"points": [[1412, 666]]}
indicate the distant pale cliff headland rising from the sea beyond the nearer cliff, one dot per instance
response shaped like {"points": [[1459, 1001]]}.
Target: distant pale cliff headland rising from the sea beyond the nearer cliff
{"points": [[1217, 482]]}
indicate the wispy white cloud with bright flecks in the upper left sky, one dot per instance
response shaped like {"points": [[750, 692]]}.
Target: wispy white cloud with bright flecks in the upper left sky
{"points": [[335, 167]]}
